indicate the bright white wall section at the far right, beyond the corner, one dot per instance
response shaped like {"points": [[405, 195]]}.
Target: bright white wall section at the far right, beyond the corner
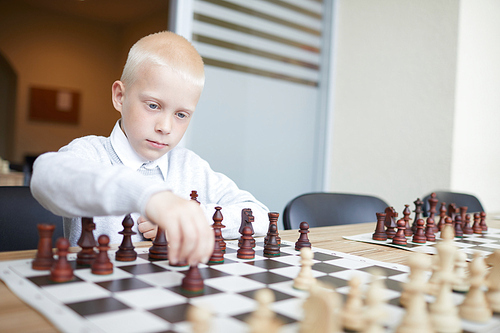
{"points": [[476, 137]]}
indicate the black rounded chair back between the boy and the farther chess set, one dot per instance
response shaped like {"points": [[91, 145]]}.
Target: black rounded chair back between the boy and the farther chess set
{"points": [[326, 209]]}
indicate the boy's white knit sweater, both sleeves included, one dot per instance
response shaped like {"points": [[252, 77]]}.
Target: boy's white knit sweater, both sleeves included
{"points": [[87, 178]]}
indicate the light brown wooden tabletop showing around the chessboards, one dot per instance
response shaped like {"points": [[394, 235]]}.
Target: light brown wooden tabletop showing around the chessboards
{"points": [[16, 316]]}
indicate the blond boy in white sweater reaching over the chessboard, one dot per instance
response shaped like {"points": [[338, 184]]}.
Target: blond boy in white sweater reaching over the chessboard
{"points": [[139, 168]]}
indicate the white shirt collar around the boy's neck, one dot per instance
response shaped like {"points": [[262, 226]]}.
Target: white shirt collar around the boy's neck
{"points": [[129, 157]]}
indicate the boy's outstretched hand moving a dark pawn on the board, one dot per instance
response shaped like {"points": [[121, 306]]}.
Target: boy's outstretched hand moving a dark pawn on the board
{"points": [[189, 235]]}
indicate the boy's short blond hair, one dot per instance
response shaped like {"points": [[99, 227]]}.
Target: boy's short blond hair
{"points": [[165, 49]]}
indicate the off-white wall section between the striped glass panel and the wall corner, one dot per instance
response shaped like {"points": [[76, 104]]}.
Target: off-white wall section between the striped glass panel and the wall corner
{"points": [[394, 98]]}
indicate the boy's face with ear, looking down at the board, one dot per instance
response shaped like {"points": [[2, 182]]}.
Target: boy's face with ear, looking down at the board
{"points": [[156, 109]]}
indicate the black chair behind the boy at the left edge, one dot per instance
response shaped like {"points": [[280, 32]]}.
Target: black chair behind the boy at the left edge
{"points": [[19, 215]]}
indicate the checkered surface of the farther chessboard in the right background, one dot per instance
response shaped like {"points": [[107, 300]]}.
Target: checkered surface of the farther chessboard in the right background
{"points": [[485, 243]]}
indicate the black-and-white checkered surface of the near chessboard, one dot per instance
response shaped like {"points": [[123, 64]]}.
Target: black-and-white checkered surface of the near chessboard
{"points": [[144, 296]]}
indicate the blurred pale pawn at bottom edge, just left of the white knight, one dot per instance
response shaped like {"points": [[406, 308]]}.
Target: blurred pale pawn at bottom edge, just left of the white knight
{"points": [[263, 319]]}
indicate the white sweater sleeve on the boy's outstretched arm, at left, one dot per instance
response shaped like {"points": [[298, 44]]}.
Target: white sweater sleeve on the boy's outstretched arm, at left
{"points": [[80, 180]]}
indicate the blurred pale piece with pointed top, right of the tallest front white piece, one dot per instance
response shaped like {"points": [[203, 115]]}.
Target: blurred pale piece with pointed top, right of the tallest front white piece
{"points": [[475, 306]]}
